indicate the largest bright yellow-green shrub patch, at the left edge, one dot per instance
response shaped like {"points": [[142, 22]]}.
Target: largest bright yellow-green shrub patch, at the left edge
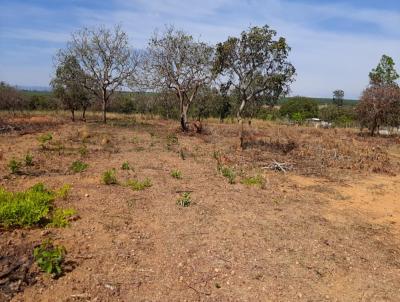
{"points": [[25, 209]]}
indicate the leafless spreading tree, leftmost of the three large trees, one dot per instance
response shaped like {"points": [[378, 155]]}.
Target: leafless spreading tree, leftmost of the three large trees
{"points": [[106, 58]]}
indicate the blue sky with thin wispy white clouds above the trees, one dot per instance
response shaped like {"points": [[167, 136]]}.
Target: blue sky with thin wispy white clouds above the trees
{"points": [[334, 44]]}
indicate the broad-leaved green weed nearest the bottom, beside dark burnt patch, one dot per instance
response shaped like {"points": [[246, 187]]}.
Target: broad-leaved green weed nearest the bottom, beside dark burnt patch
{"points": [[50, 258]]}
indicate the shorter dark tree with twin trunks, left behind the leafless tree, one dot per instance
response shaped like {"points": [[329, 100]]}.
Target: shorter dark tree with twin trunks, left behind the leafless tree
{"points": [[67, 86]]}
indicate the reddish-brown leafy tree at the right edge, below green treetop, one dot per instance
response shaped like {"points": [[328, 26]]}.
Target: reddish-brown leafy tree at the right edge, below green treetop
{"points": [[379, 106]]}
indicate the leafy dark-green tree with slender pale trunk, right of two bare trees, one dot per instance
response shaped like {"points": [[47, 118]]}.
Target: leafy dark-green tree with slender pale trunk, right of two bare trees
{"points": [[256, 65]]}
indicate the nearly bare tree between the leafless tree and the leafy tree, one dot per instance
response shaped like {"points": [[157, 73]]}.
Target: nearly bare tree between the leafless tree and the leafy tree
{"points": [[175, 61]]}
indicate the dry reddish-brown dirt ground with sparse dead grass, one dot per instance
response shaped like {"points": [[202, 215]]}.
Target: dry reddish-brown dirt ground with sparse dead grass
{"points": [[327, 230]]}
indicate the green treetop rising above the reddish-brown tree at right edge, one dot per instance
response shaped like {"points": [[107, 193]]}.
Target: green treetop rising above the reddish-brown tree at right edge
{"points": [[385, 73]]}
